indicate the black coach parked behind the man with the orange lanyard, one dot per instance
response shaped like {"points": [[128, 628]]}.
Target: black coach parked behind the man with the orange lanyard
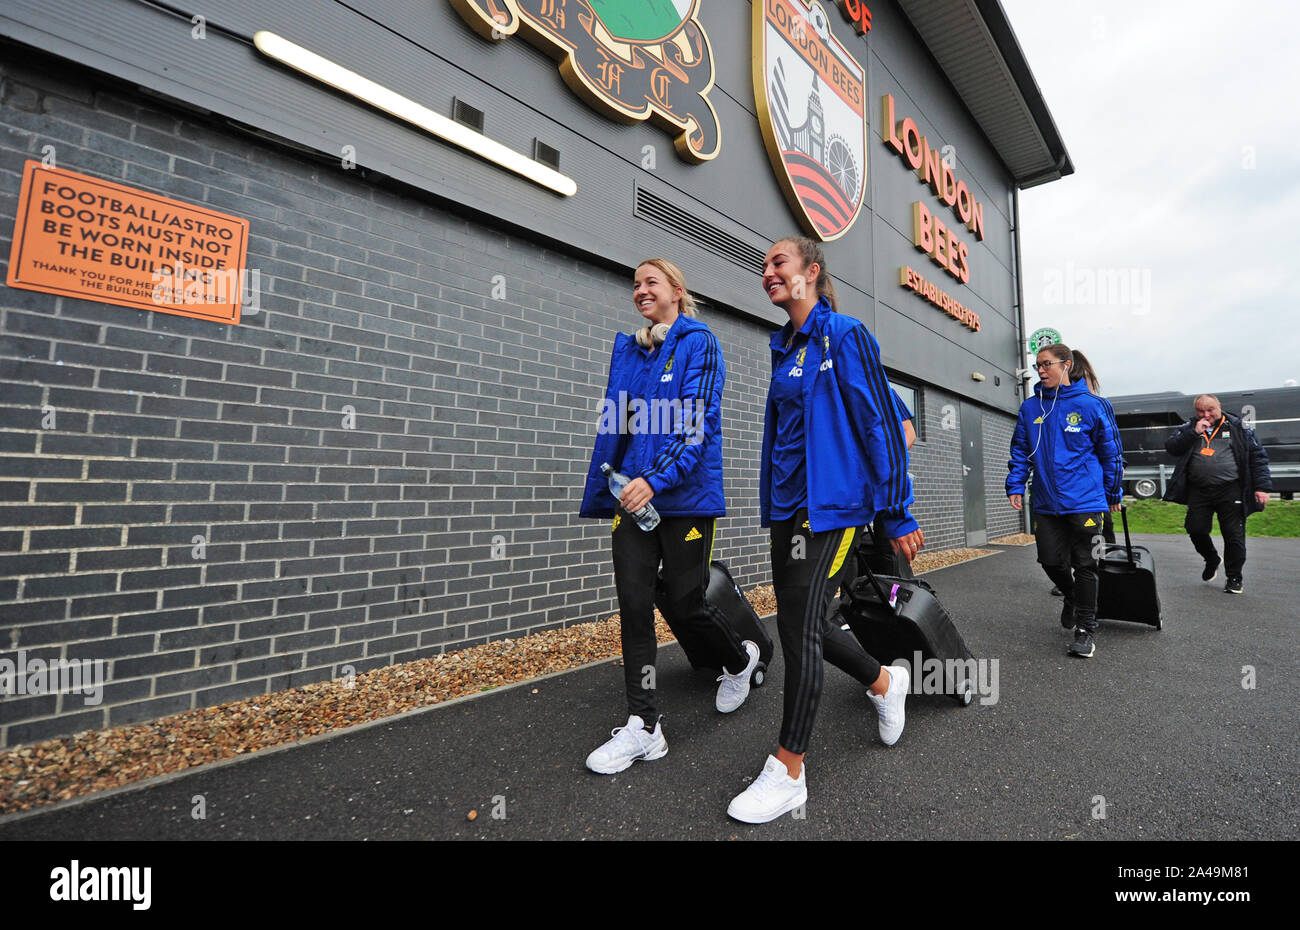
{"points": [[1146, 422]]}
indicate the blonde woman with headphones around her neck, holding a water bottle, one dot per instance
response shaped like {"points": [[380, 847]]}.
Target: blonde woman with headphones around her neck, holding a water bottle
{"points": [[661, 427]]}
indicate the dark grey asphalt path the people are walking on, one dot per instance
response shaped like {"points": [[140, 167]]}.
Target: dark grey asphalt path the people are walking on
{"points": [[1159, 733]]}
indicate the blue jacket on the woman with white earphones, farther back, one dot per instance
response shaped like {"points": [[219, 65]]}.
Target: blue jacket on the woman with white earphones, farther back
{"points": [[1072, 442]]}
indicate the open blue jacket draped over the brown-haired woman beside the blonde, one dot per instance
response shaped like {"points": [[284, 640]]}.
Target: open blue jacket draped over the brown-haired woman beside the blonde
{"points": [[856, 453]]}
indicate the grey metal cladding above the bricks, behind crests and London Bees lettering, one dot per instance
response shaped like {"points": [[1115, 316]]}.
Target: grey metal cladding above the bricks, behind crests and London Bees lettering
{"points": [[427, 53]]}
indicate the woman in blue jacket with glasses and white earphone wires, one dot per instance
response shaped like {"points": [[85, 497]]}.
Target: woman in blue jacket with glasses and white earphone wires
{"points": [[1069, 438]]}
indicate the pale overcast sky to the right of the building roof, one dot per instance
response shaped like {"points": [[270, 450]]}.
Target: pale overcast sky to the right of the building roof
{"points": [[1172, 256]]}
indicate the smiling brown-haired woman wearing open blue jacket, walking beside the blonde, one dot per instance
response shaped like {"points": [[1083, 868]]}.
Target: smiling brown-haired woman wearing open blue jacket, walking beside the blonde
{"points": [[834, 458]]}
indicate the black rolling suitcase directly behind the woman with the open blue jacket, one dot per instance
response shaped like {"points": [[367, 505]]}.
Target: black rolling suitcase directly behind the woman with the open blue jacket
{"points": [[899, 617]]}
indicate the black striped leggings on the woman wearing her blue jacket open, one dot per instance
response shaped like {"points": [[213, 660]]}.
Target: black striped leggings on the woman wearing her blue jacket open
{"points": [[807, 573]]}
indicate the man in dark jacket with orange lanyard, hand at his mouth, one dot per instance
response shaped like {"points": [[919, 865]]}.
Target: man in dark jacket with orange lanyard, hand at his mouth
{"points": [[1223, 470]]}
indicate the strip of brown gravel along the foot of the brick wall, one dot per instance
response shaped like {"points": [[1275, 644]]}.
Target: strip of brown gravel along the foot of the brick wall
{"points": [[71, 767]]}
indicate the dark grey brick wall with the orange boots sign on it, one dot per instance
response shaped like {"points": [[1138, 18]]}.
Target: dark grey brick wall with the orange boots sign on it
{"points": [[219, 512]]}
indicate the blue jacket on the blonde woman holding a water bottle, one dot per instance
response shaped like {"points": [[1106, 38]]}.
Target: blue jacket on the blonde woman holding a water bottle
{"points": [[681, 416]]}
